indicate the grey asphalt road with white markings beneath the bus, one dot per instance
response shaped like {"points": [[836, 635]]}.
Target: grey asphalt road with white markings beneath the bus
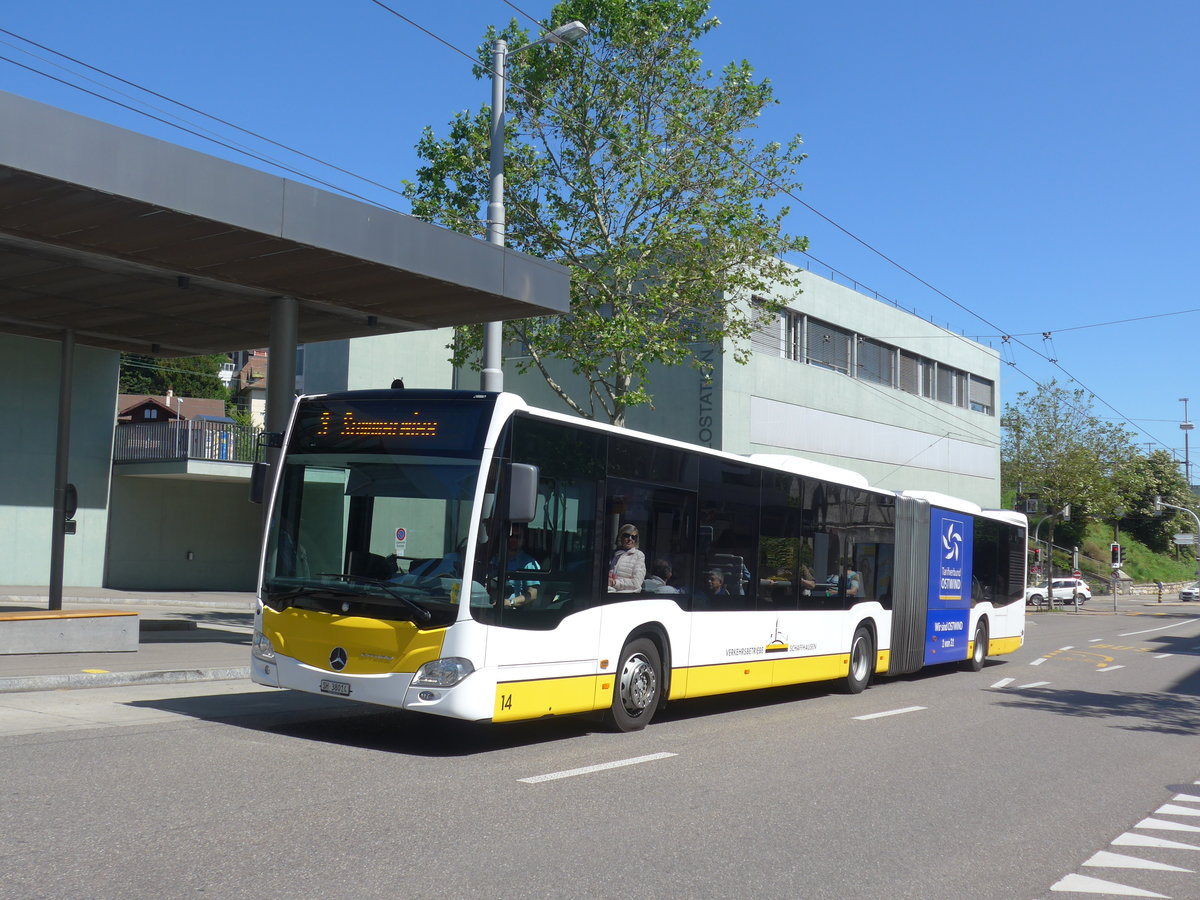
{"points": [[1031, 779]]}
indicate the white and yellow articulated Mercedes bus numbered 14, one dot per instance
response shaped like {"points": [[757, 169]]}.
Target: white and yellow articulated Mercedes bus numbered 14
{"points": [[464, 555]]}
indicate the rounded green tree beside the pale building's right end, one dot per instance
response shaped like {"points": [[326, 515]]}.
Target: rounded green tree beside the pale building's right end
{"points": [[1058, 449]]}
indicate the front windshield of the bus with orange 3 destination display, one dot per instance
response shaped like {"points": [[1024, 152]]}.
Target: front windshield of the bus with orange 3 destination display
{"points": [[374, 508]]}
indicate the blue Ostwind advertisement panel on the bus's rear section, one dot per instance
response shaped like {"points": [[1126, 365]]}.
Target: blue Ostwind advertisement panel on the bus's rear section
{"points": [[951, 541]]}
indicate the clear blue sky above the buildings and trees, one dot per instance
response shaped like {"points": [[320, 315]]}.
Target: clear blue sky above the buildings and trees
{"points": [[1035, 160]]}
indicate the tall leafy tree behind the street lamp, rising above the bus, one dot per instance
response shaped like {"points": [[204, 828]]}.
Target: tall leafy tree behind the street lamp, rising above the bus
{"points": [[634, 166]]}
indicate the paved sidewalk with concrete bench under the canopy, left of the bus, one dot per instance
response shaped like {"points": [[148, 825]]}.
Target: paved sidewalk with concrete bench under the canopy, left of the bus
{"points": [[185, 637]]}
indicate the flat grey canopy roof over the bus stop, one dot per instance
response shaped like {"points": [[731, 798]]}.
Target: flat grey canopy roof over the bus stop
{"points": [[141, 245]]}
